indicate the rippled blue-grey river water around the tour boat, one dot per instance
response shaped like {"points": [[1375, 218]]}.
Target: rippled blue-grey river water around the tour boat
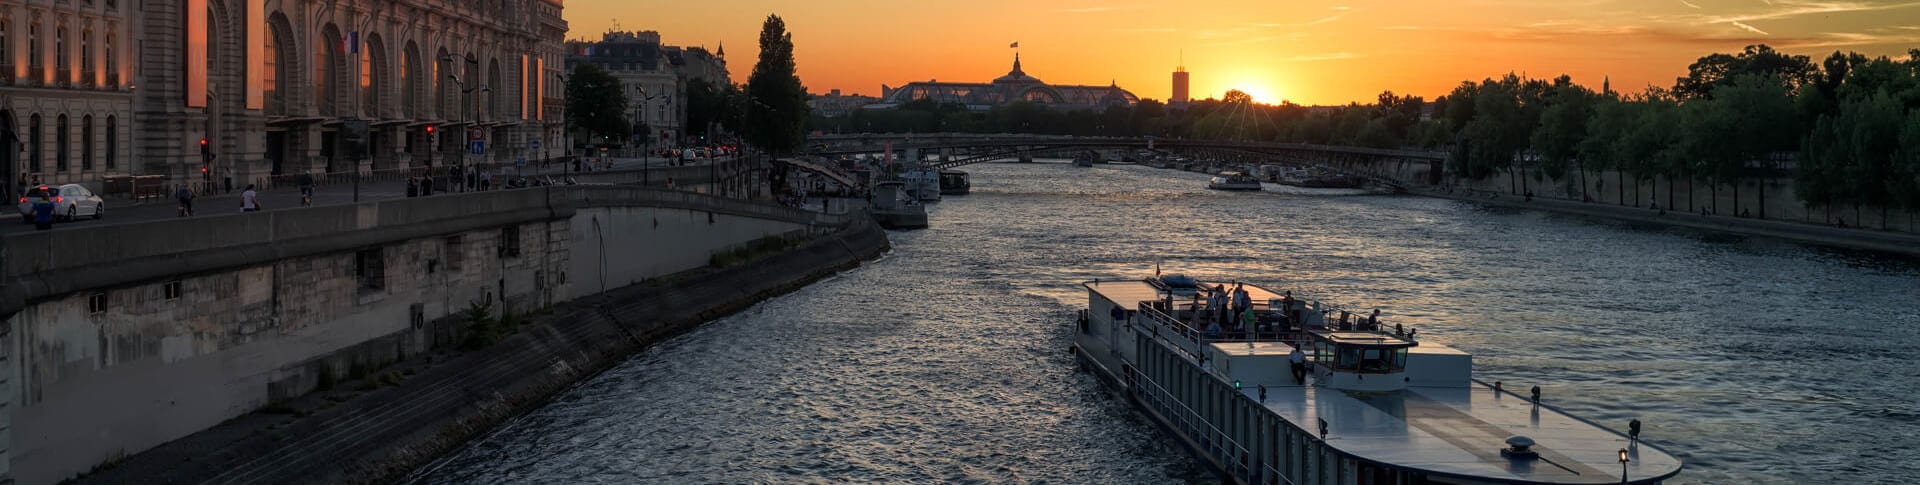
{"points": [[1752, 359]]}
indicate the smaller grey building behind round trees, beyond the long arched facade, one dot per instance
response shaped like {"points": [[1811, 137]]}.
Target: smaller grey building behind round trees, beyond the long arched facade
{"points": [[656, 78]]}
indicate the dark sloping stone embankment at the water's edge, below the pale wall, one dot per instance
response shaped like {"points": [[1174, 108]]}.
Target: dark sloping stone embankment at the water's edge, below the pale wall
{"points": [[383, 436]]}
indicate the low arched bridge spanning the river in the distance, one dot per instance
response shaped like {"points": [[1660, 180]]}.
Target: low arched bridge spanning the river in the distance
{"points": [[1391, 168]]}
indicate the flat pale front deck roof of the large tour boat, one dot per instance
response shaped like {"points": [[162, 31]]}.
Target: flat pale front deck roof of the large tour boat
{"points": [[1460, 432]]}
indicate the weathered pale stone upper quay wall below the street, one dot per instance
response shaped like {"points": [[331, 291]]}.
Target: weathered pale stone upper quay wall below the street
{"points": [[126, 336]]}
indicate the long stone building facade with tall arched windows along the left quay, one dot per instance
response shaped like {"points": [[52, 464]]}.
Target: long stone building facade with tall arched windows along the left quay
{"points": [[277, 89]]}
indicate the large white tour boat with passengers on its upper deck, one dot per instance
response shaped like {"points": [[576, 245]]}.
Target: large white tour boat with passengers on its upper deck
{"points": [[1374, 407]]}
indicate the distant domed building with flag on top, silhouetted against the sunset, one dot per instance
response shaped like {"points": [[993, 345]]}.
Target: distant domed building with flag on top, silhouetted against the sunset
{"points": [[1009, 89]]}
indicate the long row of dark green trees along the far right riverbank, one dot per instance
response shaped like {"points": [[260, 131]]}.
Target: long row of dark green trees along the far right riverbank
{"points": [[1844, 129]]}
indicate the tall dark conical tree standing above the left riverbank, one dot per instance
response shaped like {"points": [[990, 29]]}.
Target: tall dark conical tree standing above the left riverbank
{"points": [[777, 101]]}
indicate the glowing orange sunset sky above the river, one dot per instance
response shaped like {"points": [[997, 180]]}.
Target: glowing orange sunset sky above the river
{"points": [[1307, 51]]}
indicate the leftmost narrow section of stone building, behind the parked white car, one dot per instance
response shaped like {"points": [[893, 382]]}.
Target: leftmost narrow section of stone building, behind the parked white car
{"points": [[66, 91]]}
